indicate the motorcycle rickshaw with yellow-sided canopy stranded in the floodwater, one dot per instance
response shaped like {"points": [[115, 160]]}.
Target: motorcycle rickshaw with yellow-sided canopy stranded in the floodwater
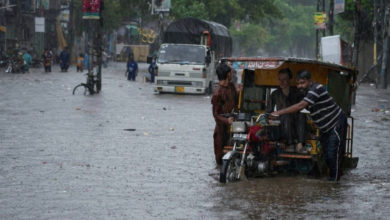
{"points": [[256, 147]]}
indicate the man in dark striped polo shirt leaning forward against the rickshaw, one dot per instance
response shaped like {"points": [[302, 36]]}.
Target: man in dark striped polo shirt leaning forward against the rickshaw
{"points": [[328, 117]]}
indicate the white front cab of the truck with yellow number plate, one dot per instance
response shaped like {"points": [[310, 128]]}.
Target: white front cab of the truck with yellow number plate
{"points": [[185, 68]]}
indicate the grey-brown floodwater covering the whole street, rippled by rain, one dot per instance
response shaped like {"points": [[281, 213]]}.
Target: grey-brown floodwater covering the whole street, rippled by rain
{"points": [[127, 153]]}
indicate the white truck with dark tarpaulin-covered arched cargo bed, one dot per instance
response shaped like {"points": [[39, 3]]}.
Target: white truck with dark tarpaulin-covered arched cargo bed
{"points": [[188, 55]]}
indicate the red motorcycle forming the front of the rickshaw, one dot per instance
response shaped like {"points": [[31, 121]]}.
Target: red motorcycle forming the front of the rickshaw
{"points": [[253, 152]]}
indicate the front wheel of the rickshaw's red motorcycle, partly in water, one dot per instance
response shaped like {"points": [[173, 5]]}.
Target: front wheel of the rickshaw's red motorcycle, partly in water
{"points": [[230, 169]]}
